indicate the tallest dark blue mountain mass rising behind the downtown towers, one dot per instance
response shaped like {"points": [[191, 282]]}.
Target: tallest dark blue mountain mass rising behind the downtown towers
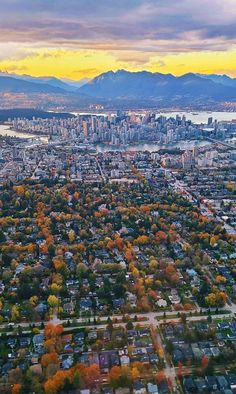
{"points": [[156, 87]]}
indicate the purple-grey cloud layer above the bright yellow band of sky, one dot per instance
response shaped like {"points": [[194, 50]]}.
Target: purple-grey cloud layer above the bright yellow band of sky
{"points": [[165, 24]]}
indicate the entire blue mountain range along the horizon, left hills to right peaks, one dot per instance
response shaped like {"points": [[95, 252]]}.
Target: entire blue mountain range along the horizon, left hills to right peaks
{"points": [[139, 88]]}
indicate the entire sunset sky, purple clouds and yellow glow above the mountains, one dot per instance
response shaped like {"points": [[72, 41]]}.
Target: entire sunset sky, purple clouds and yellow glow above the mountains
{"points": [[78, 39]]}
